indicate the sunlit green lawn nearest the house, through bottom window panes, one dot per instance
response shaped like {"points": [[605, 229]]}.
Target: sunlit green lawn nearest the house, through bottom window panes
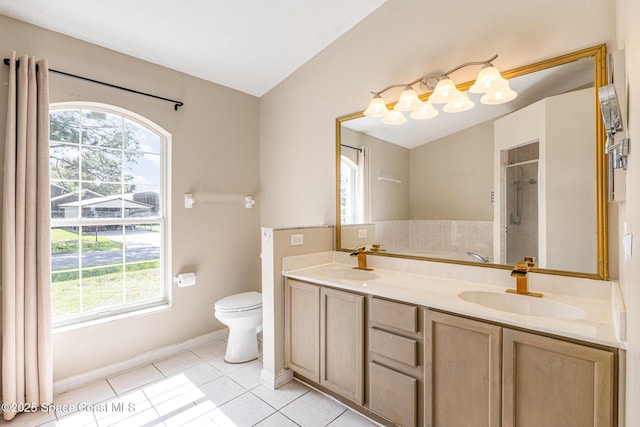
{"points": [[102, 288]]}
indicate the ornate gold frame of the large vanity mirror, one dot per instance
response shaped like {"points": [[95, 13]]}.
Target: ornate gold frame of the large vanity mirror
{"points": [[600, 79]]}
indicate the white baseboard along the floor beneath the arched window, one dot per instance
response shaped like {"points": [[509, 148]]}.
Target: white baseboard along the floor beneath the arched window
{"points": [[143, 359]]}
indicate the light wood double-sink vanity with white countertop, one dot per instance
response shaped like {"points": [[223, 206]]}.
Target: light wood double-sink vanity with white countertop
{"points": [[407, 348]]}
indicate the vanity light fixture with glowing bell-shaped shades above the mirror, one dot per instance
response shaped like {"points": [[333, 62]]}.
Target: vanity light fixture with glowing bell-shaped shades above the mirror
{"points": [[442, 90]]}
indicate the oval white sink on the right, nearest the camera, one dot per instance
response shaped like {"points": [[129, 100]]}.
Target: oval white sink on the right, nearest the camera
{"points": [[522, 304]]}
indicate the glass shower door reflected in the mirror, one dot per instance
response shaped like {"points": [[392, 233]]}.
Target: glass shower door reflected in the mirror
{"points": [[521, 209]]}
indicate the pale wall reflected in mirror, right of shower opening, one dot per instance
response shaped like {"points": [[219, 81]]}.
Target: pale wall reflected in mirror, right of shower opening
{"points": [[570, 187]]}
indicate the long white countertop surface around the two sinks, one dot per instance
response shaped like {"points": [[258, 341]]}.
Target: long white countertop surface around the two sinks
{"points": [[442, 293]]}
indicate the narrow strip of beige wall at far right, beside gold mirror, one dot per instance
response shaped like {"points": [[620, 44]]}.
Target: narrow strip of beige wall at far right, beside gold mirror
{"points": [[629, 40]]}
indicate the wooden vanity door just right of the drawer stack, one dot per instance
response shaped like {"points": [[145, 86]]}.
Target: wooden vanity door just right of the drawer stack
{"points": [[462, 375]]}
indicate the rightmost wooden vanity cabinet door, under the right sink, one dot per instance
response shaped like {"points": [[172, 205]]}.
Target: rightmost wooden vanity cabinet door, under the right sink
{"points": [[548, 382]]}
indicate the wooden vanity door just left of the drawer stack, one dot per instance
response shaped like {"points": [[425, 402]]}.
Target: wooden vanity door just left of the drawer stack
{"points": [[341, 332]]}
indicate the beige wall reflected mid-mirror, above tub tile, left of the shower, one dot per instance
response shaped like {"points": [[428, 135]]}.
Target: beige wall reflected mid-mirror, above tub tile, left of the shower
{"points": [[452, 177]]}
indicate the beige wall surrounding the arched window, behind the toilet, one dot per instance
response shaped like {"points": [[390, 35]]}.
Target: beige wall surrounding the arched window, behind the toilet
{"points": [[214, 149]]}
